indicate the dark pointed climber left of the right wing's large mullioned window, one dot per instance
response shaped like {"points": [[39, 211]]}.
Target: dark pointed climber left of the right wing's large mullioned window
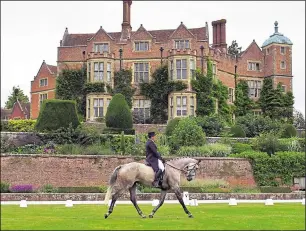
{"points": [[243, 103]]}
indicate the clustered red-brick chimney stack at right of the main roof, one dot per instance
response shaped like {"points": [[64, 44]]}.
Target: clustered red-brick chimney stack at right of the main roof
{"points": [[219, 34]]}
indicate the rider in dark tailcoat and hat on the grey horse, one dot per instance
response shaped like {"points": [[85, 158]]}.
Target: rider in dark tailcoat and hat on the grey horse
{"points": [[154, 158]]}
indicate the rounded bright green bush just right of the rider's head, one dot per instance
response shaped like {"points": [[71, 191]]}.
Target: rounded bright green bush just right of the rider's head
{"points": [[187, 133]]}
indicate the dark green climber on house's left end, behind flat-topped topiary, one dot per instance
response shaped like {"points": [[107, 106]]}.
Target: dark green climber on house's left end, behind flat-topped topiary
{"points": [[70, 86]]}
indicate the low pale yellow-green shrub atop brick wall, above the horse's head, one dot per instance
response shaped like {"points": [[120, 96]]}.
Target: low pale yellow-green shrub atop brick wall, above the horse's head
{"points": [[215, 150]]}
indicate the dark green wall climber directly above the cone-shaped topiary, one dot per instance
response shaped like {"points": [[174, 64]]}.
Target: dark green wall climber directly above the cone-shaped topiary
{"points": [[122, 84]]}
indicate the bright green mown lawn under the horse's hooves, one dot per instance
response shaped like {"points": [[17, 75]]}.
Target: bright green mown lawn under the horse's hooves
{"points": [[206, 217]]}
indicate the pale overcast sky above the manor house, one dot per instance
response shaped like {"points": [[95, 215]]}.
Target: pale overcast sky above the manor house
{"points": [[31, 31]]}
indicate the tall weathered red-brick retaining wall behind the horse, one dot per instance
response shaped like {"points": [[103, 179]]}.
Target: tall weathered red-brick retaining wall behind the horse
{"points": [[69, 171]]}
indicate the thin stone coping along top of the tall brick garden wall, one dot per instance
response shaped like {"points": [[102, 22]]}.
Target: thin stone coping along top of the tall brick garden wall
{"points": [[112, 156]]}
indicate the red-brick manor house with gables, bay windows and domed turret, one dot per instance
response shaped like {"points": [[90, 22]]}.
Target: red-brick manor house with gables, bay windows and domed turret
{"points": [[183, 49]]}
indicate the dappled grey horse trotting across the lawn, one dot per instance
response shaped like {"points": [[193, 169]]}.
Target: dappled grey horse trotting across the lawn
{"points": [[125, 177]]}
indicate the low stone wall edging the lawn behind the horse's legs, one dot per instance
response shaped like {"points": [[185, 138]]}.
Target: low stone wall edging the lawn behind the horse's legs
{"points": [[148, 196]]}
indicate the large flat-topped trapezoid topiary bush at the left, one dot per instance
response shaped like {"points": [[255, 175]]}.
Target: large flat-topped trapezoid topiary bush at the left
{"points": [[55, 114]]}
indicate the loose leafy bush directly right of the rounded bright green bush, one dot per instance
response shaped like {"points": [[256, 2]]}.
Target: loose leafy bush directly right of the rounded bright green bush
{"points": [[212, 125]]}
